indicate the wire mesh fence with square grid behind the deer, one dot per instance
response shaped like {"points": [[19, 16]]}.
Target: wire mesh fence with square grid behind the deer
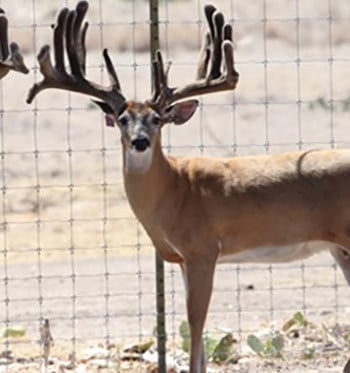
{"points": [[72, 251]]}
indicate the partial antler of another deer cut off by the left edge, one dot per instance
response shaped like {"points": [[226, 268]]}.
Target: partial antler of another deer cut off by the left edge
{"points": [[10, 58]]}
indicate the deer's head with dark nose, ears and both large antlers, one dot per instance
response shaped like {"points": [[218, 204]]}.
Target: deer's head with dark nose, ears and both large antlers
{"points": [[140, 123]]}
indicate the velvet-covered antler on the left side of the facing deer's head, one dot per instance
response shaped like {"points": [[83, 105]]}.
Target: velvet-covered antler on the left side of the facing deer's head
{"points": [[69, 34]]}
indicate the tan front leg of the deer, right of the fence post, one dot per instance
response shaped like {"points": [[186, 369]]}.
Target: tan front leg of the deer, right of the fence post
{"points": [[198, 277]]}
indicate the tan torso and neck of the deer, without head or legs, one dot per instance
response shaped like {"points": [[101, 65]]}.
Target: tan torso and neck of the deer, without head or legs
{"points": [[261, 203]]}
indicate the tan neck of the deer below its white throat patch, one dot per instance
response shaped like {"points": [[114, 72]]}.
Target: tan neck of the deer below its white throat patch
{"points": [[146, 190]]}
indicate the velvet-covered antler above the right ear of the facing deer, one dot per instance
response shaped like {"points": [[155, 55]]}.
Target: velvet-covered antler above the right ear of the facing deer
{"points": [[216, 53]]}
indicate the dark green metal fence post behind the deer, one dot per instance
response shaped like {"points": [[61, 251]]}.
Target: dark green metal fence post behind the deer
{"points": [[160, 302]]}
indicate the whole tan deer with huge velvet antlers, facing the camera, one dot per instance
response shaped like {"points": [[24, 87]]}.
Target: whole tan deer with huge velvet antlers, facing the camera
{"points": [[202, 211]]}
